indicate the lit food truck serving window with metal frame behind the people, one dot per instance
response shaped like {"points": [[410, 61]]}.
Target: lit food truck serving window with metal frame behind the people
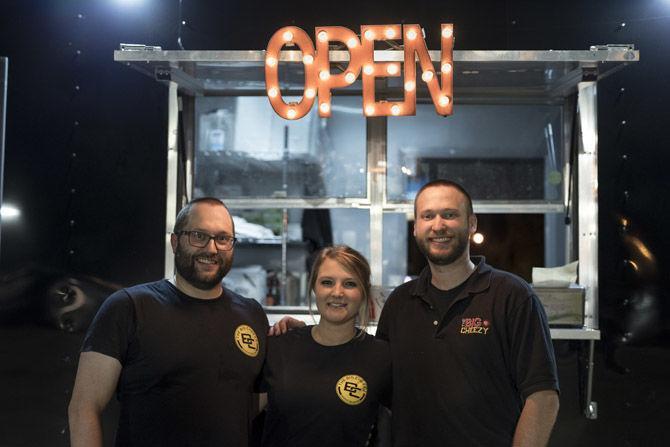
{"points": [[521, 135]]}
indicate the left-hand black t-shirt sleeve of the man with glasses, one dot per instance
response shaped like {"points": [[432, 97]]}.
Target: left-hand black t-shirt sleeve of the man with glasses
{"points": [[112, 327]]}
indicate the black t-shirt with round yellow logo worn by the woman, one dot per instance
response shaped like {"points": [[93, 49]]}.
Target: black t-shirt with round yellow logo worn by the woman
{"points": [[323, 395]]}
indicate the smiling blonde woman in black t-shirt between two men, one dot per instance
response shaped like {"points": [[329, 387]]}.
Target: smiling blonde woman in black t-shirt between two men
{"points": [[325, 382]]}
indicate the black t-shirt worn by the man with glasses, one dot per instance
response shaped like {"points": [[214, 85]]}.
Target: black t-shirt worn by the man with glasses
{"points": [[189, 365]]}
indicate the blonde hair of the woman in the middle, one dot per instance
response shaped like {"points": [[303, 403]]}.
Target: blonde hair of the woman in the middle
{"points": [[353, 262]]}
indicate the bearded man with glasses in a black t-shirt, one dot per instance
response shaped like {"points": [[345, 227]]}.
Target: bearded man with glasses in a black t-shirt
{"points": [[181, 354]]}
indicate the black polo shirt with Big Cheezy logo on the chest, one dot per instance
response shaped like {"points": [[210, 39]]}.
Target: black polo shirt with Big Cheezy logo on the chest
{"points": [[462, 379]]}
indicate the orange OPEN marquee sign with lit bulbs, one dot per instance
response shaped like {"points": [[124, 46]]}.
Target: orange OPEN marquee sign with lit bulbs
{"points": [[320, 80]]}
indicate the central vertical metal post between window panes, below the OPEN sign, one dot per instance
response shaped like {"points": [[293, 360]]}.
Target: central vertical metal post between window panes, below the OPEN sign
{"points": [[376, 150]]}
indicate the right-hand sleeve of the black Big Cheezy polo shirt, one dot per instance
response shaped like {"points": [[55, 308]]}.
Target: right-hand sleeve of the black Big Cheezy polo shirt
{"points": [[533, 358]]}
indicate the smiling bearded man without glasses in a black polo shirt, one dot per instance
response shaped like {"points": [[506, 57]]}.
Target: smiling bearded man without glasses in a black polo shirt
{"points": [[473, 362]]}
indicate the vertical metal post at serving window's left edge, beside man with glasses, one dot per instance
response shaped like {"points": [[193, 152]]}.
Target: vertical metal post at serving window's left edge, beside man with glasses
{"points": [[172, 175]]}
